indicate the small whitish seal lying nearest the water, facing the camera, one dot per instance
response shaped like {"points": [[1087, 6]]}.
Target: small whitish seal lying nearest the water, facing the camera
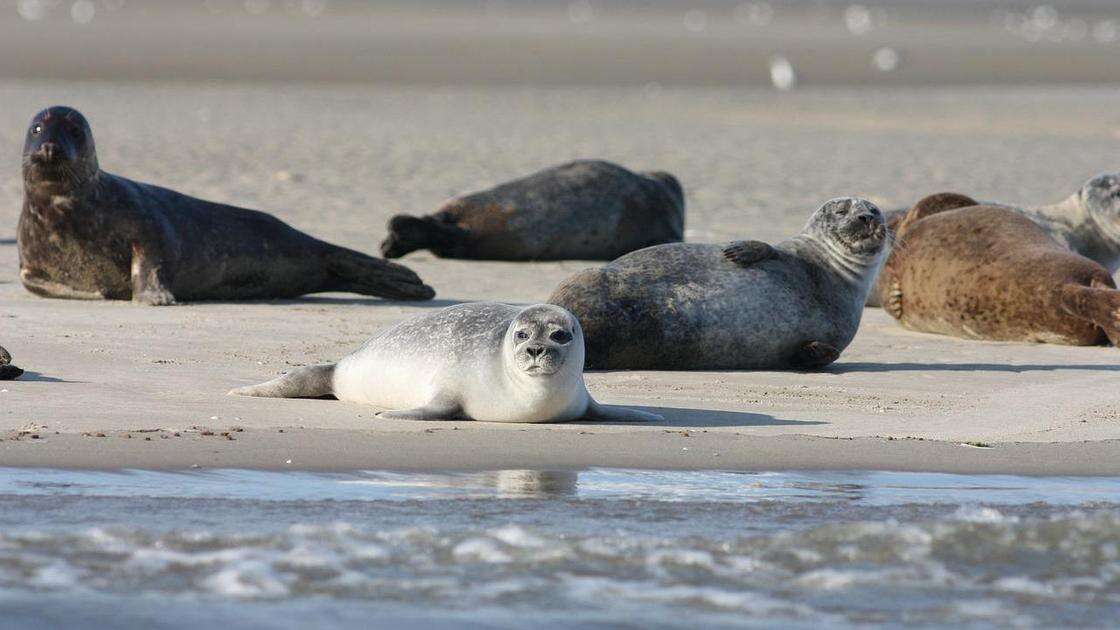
{"points": [[481, 362]]}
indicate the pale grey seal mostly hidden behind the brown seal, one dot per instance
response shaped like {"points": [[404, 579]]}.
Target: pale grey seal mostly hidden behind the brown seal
{"points": [[1088, 223]]}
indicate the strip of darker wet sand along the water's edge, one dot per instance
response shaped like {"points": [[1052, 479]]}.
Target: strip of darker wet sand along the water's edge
{"points": [[459, 449]]}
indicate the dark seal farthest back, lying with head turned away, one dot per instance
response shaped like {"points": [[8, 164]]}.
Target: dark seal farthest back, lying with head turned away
{"points": [[587, 210]]}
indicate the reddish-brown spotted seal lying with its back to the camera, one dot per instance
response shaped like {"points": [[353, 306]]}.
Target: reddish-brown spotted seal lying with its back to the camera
{"points": [[985, 272]]}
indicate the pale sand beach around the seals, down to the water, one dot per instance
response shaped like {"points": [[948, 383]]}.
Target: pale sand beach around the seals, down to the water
{"points": [[339, 161]]}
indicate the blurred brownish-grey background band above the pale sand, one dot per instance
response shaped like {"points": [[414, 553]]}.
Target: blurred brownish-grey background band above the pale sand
{"points": [[650, 43]]}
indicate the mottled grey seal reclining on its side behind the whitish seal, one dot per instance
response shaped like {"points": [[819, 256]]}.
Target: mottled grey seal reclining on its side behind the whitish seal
{"points": [[744, 305]]}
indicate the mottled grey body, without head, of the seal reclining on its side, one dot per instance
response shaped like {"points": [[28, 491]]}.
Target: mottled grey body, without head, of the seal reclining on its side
{"points": [[685, 307]]}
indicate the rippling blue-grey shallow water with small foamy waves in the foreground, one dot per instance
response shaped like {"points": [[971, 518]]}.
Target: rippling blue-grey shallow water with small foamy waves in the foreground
{"points": [[558, 550]]}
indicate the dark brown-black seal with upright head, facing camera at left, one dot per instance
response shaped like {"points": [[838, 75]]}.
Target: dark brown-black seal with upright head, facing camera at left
{"points": [[86, 234]]}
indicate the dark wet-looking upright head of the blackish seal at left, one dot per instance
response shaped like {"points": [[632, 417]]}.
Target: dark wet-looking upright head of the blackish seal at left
{"points": [[59, 152]]}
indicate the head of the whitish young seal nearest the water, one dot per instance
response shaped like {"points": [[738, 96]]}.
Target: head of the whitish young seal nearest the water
{"points": [[545, 339]]}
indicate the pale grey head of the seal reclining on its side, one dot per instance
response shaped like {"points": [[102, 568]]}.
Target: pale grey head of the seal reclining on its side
{"points": [[853, 224]]}
